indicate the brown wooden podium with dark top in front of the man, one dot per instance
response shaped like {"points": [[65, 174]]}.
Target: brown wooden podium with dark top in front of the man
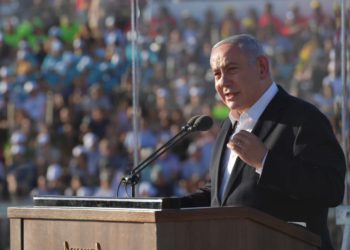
{"points": [[60, 223]]}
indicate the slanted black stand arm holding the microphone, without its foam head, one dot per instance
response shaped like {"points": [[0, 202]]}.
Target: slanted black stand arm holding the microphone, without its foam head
{"points": [[133, 178]]}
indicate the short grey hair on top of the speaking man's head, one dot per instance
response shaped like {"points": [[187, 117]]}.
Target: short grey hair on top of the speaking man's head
{"points": [[247, 43]]}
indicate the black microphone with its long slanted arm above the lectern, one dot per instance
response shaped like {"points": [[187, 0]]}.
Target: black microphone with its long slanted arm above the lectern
{"points": [[196, 123]]}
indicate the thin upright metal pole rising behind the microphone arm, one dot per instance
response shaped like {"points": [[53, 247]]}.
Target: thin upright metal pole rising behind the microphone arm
{"points": [[135, 82]]}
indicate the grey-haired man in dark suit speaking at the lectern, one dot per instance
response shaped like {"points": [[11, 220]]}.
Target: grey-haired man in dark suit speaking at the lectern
{"points": [[274, 152]]}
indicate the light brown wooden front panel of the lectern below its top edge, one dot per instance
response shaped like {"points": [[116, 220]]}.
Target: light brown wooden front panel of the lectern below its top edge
{"points": [[60, 234]]}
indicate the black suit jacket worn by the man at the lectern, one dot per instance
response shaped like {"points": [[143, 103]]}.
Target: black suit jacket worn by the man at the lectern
{"points": [[303, 174]]}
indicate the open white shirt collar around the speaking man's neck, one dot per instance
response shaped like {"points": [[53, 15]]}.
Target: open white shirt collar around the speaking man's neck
{"points": [[252, 115]]}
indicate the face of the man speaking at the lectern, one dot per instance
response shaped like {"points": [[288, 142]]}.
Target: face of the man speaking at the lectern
{"points": [[237, 80]]}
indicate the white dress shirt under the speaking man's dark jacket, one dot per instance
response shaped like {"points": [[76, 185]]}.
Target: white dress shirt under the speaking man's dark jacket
{"points": [[245, 121]]}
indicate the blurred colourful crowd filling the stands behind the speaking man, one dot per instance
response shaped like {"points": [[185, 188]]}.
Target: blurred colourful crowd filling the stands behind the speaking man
{"points": [[66, 89]]}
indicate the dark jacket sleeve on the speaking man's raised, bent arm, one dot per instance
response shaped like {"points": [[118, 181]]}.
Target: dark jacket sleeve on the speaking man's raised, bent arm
{"points": [[314, 172]]}
